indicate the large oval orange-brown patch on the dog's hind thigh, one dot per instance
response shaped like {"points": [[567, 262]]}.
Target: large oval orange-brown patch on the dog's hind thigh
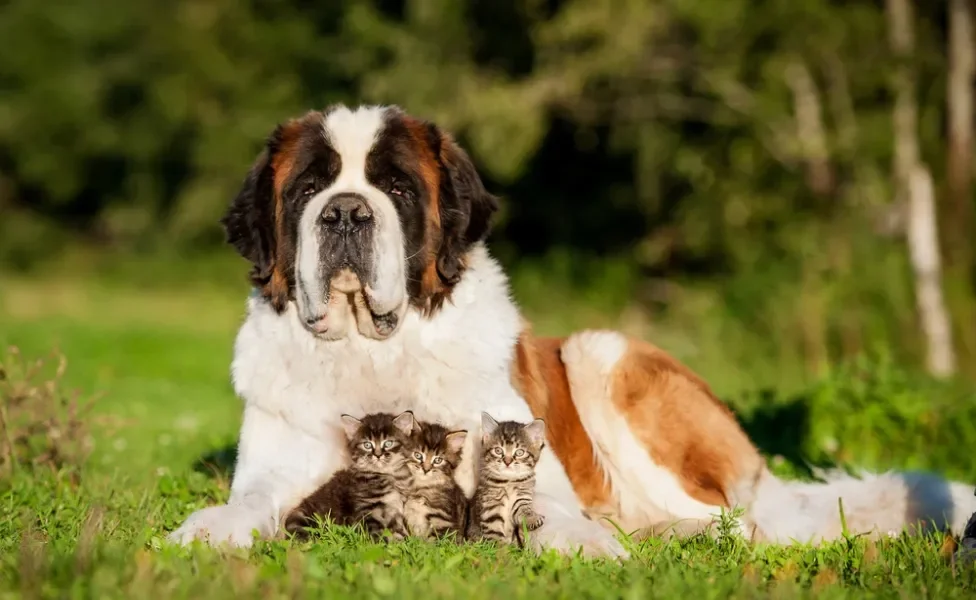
{"points": [[674, 414]]}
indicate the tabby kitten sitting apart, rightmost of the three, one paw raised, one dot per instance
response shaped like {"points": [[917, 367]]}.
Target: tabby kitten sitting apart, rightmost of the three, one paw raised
{"points": [[502, 502]]}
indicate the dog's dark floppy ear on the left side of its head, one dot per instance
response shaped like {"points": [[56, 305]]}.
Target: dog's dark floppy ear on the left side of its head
{"points": [[249, 221]]}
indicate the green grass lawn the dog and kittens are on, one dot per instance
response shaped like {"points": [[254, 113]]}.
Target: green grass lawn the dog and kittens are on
{"points": [[157, 355]]}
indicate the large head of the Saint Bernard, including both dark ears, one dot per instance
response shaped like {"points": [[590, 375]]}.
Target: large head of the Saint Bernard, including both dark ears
{"points": [[358, 215]]}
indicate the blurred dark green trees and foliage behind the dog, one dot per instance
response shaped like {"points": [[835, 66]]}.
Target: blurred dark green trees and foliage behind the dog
{"points": [[647, 150]]}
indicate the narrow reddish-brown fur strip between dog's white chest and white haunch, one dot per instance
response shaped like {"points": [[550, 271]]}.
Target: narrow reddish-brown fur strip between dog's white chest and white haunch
{"points": [[539, 375]]}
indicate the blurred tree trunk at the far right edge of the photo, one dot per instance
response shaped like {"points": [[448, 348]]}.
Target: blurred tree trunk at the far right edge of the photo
{"points": [[962, 66]]}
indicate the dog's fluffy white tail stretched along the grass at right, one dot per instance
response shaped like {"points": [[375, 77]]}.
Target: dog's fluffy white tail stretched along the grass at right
{"points": [[886, 503]]}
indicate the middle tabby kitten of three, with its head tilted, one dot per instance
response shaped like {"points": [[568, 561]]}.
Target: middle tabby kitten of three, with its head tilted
{"points": [[435, 504]]}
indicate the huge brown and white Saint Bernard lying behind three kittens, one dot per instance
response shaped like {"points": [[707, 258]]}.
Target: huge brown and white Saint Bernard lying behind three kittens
{"points": [[373, 291]]}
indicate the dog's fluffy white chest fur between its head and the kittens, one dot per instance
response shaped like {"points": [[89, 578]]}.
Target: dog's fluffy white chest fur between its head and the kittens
{"points": [[446, 369]]}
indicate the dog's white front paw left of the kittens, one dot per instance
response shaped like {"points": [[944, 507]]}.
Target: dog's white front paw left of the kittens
{"points": [[227, 524]]}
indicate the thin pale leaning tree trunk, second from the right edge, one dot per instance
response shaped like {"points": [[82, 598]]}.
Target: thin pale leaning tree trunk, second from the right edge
{"points": [[913, 184]]}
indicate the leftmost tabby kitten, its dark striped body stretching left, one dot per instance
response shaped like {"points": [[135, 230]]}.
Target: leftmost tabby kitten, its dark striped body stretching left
{"points": [[369, 490]]}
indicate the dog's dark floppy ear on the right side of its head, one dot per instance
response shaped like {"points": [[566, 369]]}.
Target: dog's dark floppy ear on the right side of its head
{"points": [[466, 206]]}
